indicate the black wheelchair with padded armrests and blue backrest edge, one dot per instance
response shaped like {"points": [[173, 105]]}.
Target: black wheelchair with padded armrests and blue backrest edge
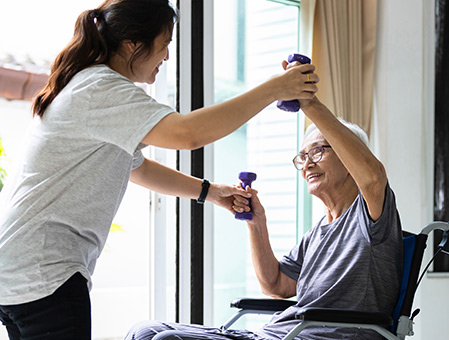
{"points": [[392, 327]]}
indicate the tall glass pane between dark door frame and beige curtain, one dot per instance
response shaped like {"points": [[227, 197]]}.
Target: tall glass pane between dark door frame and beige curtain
{"points": [[252, 38]]}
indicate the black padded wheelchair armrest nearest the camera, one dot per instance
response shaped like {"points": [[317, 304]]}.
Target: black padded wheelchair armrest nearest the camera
{"points": [[343, 316]]}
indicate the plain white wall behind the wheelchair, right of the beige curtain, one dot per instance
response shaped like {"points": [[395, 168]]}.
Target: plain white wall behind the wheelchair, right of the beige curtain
{"points": [[404, 123]]}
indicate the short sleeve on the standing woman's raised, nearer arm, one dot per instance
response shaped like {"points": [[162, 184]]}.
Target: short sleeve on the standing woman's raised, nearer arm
{"points": [[121, 113]]}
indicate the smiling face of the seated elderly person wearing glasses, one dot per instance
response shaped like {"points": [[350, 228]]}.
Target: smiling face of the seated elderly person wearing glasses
{"points": [[328, 175]]}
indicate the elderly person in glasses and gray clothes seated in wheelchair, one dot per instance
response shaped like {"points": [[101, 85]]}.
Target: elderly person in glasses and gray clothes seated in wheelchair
{"points": [[351, 259]]}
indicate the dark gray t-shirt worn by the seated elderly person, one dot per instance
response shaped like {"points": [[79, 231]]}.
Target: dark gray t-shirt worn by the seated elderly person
{"points": [[351, 263]]}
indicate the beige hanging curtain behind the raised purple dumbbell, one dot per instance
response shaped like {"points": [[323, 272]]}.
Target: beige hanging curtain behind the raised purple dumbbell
{"points": [[340, 35]]}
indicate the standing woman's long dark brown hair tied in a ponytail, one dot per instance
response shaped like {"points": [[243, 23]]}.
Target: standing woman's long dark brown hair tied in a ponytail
{"points": [[98, 34]]}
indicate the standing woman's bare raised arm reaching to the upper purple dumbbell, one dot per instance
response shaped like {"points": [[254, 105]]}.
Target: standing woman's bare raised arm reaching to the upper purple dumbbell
{"points": [[206, 125]]}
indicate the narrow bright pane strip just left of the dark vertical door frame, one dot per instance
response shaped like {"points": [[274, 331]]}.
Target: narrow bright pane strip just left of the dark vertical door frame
{"points": [[163, 207]]}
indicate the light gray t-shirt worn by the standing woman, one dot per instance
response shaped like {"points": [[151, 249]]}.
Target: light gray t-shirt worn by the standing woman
{"points": [[56, 211]]}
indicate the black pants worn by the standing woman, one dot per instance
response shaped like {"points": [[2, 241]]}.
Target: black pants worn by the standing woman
{"points": [[64, 315]]}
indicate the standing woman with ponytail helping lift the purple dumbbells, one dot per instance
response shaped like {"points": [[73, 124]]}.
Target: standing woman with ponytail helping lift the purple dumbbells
{"points": [[85, 144]]}
